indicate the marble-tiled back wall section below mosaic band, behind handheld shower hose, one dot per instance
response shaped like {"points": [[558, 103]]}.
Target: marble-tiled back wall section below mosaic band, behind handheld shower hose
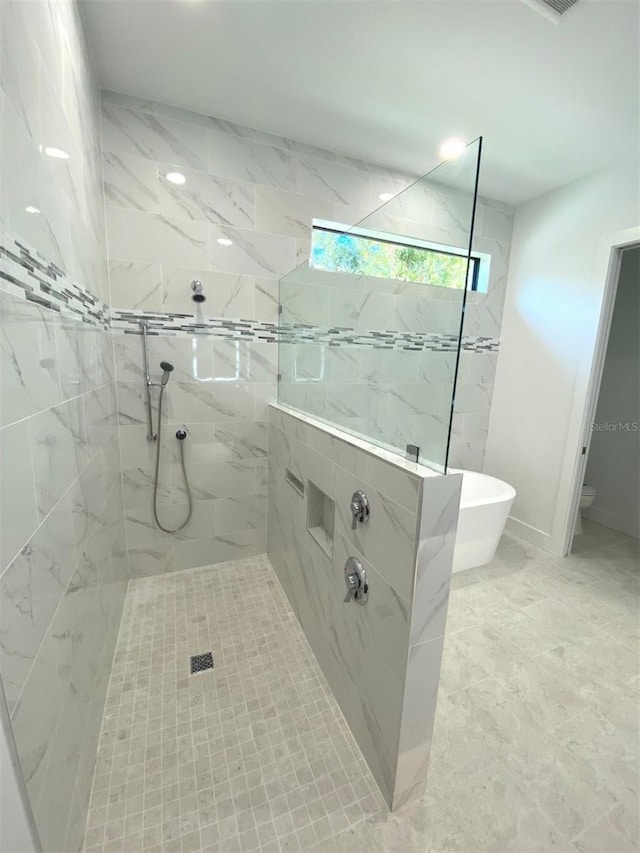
{"points": [[218, 392]]}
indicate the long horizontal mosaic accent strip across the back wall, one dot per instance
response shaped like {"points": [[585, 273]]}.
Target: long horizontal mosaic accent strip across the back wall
{"points": [[127, 322]]}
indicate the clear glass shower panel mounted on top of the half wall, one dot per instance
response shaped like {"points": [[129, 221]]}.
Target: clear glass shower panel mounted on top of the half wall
{"points": [[370, 324]]}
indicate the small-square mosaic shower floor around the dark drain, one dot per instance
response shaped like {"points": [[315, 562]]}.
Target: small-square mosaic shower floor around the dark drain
{"points": [[251, 755]]}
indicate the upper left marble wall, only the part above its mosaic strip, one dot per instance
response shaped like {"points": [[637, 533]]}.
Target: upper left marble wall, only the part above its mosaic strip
{"points": [[49, 99]]}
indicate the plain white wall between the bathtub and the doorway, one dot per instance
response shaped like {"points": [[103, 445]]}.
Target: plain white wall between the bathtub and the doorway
{"points": [[553, 304]]}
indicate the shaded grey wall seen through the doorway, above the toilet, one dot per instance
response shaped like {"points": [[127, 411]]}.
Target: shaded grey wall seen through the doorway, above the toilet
{"points": [[614, 456]]}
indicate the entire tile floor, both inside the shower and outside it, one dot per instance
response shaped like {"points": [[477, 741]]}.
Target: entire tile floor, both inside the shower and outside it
{"points": [[536, 737]]}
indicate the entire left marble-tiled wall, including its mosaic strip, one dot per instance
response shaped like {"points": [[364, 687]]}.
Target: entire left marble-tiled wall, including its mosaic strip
{"points": [[63, 571]]}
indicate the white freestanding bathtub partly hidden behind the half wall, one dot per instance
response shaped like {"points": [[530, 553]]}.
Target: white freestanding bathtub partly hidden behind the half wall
{"points": [[484, 508]]}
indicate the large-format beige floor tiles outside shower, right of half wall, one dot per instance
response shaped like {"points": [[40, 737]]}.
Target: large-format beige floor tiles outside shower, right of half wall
{"points": [[572, 785]]}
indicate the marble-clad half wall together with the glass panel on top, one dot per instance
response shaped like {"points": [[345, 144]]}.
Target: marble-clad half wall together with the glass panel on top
{"points": [[370, 342]]}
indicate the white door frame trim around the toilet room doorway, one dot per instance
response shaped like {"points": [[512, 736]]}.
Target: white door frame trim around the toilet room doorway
{"points": [[607, 269]]}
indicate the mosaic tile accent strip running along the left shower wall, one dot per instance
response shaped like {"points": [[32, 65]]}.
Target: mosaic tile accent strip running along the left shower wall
{"points": [[27, 275]]}
